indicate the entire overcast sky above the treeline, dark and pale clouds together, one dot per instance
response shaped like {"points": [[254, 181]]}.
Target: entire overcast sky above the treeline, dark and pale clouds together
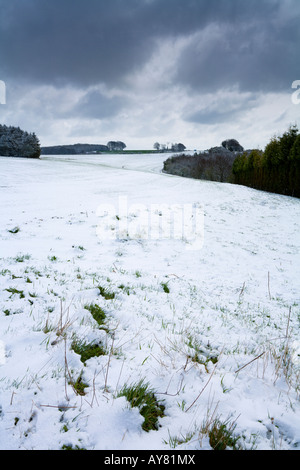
{"points": [[141, 71]]}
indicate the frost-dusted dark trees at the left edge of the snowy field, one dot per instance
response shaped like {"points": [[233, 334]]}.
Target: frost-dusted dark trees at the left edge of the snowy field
{"points": [[17, 143]]}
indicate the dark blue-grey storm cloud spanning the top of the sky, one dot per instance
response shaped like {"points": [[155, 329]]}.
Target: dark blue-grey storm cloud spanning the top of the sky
{"points": [[253, 44]]}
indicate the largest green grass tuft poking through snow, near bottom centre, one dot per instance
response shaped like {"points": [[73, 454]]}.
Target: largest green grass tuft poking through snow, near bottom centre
{"points": [[141, 396]]}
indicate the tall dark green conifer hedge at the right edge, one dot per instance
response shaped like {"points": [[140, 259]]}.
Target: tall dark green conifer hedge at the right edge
{"points": [[277, 169]]}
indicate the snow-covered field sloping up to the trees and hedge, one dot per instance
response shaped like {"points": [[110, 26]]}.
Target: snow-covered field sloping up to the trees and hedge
{"points": [[221, 346]]}
